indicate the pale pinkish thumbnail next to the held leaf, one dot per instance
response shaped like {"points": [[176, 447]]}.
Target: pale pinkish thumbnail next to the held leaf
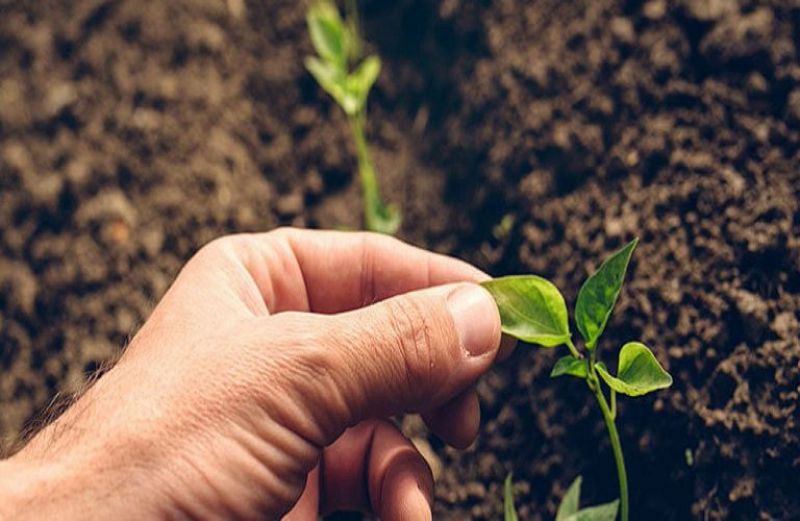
{"points": [[475, 315]]}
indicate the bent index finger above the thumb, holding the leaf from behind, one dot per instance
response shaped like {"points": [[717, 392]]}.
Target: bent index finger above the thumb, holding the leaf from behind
{"points": [[333, 272]]}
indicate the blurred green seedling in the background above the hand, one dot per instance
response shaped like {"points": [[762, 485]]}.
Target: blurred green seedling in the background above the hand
{"points": [[342, 73]]}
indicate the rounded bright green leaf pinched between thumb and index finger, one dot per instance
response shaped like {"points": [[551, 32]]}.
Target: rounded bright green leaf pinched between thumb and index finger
{"points": [[531, 309]]}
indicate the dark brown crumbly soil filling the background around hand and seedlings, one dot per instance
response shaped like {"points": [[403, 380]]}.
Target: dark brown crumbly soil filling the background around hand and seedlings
{"points": [[132, 132]]}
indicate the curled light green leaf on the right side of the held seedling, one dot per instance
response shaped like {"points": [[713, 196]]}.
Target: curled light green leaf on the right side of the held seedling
{"points": [[638, 371]]}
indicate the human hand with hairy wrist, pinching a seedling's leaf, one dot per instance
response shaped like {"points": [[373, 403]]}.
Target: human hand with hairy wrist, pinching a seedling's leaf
{"points": [[261, 384]]}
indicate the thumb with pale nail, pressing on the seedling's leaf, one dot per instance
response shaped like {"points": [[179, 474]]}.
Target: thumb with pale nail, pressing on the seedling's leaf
{"points": [[412, 352]]}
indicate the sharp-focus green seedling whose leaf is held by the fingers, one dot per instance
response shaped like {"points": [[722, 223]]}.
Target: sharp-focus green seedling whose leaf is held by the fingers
{"points": [[533, 310]]}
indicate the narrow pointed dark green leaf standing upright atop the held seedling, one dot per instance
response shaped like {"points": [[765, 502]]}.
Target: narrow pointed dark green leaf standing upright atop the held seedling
{"points": [[599, 294]]}
